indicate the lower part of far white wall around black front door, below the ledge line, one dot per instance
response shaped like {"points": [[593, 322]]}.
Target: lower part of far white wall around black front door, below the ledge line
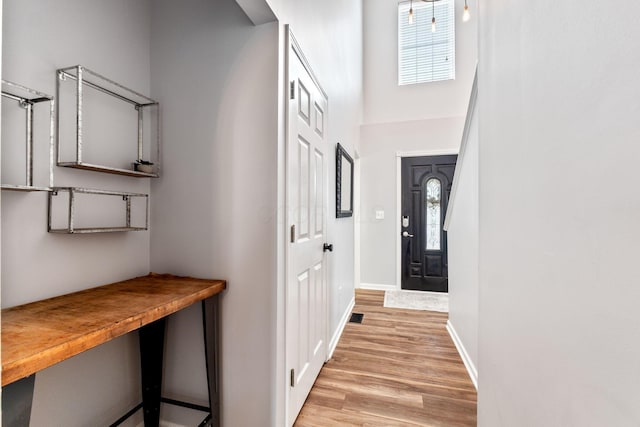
{"points": [[380, 144]]}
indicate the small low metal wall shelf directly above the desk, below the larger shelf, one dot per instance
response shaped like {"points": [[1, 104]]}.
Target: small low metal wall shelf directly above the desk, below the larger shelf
{"points": [[72, 228]]}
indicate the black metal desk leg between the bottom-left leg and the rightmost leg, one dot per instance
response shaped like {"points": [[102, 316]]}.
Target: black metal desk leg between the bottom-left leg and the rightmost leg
{"points": [[151, 355]]}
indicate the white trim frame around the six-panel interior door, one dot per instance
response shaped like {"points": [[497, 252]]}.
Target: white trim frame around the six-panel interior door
{"points": [[290, 43]]}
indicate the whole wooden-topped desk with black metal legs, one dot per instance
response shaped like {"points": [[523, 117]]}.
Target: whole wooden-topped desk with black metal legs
{"points": [[41, 334]]}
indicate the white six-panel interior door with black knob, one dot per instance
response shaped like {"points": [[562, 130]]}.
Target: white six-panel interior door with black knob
{"points": [[306, 313]]}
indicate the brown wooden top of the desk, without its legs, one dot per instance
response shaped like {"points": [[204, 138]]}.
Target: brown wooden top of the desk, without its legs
{"points": [[43, 333]]}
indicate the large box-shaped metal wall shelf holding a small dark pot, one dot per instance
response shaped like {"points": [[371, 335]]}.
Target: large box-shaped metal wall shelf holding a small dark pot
{"points": [[144, 106]]}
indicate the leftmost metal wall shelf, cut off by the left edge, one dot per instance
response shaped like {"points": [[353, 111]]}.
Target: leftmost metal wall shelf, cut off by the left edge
{"points": [[27, 99]]}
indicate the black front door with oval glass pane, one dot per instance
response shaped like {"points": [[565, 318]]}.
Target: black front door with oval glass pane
{"points": [[426, 186]]}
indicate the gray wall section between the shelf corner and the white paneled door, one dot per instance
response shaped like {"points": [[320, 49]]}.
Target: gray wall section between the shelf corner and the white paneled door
{"points": [[215, 205]]}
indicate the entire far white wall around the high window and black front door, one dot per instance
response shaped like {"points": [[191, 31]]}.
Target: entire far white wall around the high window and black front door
{"points": [[426, 117]]}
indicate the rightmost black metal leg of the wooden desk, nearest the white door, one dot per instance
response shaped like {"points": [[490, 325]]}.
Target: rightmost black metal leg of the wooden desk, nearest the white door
{"points": [[210, 313]]}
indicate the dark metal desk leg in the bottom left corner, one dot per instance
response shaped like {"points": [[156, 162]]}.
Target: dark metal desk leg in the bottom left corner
{"points": [[16, 402]]}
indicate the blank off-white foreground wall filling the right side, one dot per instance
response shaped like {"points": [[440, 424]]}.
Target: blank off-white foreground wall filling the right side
{"points": [[559, 341]]}
